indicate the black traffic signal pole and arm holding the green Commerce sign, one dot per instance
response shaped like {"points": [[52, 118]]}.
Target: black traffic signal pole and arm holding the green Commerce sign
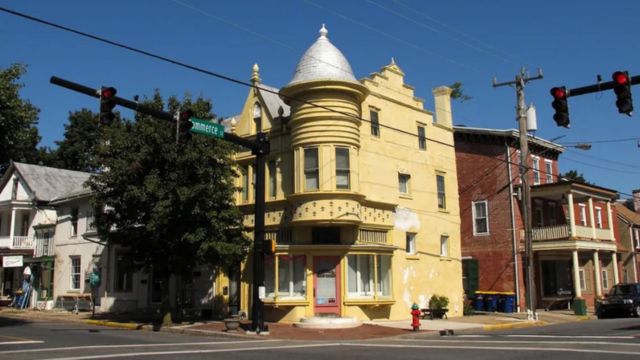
{"points": [[260, 148]]}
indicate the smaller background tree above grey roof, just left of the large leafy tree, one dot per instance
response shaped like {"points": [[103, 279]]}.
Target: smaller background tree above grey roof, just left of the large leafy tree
{"points": [[77, 151]]}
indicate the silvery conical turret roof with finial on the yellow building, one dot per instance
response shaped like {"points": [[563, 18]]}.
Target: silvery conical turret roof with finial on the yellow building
{"points": [[323, 61]]}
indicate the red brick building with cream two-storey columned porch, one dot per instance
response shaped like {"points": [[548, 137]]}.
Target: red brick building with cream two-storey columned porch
{"points": [[572, 232]]}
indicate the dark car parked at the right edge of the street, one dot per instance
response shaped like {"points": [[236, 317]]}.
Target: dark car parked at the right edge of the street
{"points": [[622, 300]]}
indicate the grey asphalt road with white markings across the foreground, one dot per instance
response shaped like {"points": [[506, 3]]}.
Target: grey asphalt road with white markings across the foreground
{"points": [[597, 339]]}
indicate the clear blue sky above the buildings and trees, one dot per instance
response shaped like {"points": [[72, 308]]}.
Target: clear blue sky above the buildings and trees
{"points": [[435, 43]]}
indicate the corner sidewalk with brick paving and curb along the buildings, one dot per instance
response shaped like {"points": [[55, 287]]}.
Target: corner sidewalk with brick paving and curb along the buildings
{"points": [[369, 330]]}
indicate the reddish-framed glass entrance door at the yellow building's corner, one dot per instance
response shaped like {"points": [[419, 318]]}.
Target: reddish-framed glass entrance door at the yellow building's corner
{"points": [[326, 285]]}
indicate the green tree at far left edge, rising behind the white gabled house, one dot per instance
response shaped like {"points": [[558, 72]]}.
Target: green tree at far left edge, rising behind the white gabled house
{"points": [[18, 119]]}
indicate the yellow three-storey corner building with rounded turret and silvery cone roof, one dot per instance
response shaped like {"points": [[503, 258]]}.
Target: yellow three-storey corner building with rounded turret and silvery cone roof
{"points": [[361, 194]]}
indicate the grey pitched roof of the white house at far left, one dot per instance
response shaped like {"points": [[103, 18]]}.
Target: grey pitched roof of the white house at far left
{"points": [[48, 183]]}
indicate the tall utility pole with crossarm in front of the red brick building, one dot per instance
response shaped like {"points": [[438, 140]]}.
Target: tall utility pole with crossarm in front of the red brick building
{"points": [[521, 114]]}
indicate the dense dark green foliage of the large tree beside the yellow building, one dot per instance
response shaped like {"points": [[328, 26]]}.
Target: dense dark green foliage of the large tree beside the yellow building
{"points": [[172, 205]]}
